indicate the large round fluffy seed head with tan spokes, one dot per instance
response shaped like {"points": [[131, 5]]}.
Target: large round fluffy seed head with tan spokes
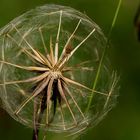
{"points": [[49, 69]]}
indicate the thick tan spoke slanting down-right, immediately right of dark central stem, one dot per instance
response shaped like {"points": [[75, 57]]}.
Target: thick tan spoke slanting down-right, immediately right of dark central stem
{"points": [[65, 99]]}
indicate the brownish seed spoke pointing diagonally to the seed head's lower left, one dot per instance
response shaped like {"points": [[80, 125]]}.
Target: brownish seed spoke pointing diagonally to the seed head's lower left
{"points": [[36, 92]]}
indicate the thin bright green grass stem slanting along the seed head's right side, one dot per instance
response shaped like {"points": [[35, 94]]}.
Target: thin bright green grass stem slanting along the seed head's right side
{"points": [[100, 64]]}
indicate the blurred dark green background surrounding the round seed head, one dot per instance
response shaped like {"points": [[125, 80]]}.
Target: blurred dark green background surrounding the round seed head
{"points": [[123, 122]]}
